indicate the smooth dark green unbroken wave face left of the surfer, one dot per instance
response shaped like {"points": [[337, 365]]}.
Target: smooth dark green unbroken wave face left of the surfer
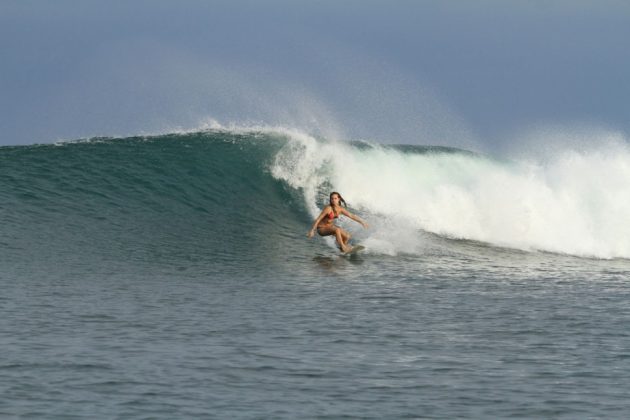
{"points": [[146, 201]]}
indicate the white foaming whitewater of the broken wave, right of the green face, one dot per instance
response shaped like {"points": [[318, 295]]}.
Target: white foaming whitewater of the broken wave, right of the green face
{"points": [[573, 202]]}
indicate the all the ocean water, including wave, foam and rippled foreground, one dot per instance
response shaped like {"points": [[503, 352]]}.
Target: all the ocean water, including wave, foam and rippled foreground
{"points": [[171, 277]]}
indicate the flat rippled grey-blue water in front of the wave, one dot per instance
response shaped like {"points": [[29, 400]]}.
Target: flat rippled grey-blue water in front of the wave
{"points": [[449, 335]]}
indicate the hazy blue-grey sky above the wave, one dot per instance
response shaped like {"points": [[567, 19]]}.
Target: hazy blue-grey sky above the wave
{"points": [[459, 73]]}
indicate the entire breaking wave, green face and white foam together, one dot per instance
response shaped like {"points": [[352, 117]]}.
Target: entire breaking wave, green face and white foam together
{"points": [[225, 193]]}
